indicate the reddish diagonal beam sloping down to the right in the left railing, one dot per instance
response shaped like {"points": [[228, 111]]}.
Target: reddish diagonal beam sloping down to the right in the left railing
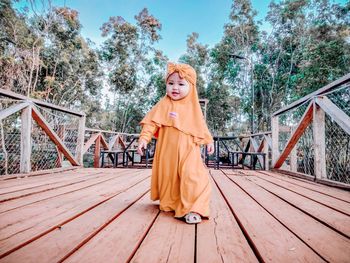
{"points": [[38, 117]]}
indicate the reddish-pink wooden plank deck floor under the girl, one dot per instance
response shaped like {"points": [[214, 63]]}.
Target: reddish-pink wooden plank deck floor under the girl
{"points": [[105, 215]]}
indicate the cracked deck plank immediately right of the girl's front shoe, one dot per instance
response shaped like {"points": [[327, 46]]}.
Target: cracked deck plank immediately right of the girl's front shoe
{"points": [[216, 237]]}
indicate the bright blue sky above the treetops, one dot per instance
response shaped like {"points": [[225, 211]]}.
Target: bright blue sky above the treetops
{"points": [[179, 18]]}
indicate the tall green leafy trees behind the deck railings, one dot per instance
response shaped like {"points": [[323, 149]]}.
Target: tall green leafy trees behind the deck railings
{"points": [[43, 55]]}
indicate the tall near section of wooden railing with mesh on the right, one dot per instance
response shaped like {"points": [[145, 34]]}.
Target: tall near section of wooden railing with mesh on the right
{"points": [[318, 134]]}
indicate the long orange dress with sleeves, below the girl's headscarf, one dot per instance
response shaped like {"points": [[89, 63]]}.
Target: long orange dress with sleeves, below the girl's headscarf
{"points": [[180, 180]]}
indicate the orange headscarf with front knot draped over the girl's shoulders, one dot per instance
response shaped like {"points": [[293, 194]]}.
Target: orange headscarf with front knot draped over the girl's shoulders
{"points": [[184, 114]]}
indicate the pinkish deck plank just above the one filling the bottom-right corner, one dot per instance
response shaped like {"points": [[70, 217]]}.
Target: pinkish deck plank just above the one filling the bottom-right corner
{"points": [[328, 216]]}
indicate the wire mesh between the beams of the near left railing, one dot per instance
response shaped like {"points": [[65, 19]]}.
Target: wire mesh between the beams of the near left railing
{"points": [[44, 152]]}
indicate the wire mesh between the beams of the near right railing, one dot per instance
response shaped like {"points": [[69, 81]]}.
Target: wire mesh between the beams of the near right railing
{"points": [[337, 141]]}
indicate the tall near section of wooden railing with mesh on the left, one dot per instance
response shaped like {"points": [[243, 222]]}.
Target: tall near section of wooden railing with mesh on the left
{"points": [[31, 120]]}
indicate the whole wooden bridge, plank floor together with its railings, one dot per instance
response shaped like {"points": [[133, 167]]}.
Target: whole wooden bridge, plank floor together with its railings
{"points": [[54, 210]]}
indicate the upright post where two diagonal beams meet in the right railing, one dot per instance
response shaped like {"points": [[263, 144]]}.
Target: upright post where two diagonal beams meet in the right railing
{"points": [[319, 142]]}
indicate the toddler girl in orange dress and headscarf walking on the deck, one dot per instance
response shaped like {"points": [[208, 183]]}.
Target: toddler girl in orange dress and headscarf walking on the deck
{"points": [[180, 181]]}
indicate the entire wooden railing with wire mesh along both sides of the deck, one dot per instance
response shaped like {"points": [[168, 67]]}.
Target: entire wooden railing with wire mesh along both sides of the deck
{"points": [[310, 136]]}
